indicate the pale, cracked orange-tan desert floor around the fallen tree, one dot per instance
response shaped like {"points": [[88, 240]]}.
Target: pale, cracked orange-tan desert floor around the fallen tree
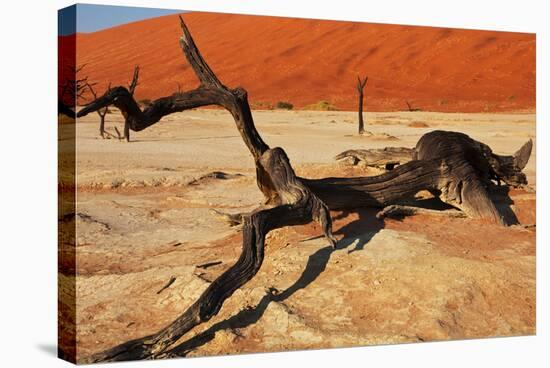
{"points": [[144, 219]]}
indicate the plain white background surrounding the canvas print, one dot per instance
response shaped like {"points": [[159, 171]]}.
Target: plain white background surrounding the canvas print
{"points": [[28, 192]]}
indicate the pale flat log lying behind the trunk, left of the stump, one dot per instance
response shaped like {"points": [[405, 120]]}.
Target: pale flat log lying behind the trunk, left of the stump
{"points": [[384, 158]]}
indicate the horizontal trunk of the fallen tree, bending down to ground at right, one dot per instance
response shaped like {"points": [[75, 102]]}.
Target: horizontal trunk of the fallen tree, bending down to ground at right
{"points": [[455, 183]]}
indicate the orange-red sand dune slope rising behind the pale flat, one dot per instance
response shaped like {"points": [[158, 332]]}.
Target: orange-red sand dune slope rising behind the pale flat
{"points": [[304, 61]]}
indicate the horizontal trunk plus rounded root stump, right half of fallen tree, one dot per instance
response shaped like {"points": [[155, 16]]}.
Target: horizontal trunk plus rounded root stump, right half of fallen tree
{"points": [[451, 165]]}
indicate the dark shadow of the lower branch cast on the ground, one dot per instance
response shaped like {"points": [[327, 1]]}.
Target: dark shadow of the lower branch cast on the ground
{"points": [[357, 233]]}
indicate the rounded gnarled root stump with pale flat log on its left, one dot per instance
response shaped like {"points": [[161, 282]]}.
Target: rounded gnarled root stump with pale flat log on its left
{"points": [[472, 165]]}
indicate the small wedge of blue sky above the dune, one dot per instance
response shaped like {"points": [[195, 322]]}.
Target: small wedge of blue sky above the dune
{"points": [[90, 18]]}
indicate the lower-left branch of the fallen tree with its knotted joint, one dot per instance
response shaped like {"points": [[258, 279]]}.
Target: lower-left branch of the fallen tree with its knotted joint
{"points": [[298, 206]]}
